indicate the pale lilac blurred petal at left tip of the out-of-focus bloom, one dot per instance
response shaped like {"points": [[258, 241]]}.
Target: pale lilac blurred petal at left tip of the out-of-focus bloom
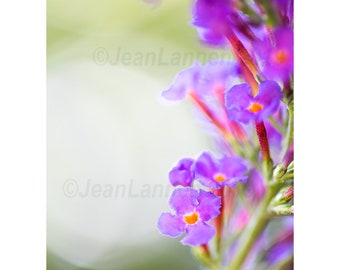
{"points": [[184, 82]]}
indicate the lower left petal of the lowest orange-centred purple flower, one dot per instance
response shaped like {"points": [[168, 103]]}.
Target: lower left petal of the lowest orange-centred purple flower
{"points": [[171, 225]]}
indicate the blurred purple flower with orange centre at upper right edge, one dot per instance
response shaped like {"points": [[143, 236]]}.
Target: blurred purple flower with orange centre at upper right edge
{"points": [[277, 56]]}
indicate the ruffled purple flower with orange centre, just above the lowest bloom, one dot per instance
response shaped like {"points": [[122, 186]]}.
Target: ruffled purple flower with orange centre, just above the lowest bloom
{"points": [[215, 173]]}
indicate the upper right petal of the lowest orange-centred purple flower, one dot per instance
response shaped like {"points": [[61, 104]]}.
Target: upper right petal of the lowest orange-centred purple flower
{"points": [[208, 205]]}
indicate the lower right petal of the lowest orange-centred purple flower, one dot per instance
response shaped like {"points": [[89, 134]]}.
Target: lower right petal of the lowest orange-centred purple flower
{"points": [[198, 234]]}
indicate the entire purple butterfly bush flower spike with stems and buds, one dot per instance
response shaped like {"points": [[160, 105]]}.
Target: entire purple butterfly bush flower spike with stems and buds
{"points": [[234, 203]]}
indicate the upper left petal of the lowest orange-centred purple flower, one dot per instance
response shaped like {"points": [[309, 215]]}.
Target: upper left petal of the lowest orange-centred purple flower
{"points": [[183, 200]]}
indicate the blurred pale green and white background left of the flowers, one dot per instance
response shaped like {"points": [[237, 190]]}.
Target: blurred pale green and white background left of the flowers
{"points": [[107, 63]]}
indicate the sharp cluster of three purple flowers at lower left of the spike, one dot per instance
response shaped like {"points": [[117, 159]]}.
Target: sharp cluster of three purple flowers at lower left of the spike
{"points": [[193, 209]]}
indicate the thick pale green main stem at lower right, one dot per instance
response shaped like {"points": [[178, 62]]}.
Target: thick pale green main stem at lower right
{"points": [[256, 226]]}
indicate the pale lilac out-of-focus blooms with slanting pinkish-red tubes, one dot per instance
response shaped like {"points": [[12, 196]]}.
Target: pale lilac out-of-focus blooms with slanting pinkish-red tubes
{"points": [[206, 86]]}
